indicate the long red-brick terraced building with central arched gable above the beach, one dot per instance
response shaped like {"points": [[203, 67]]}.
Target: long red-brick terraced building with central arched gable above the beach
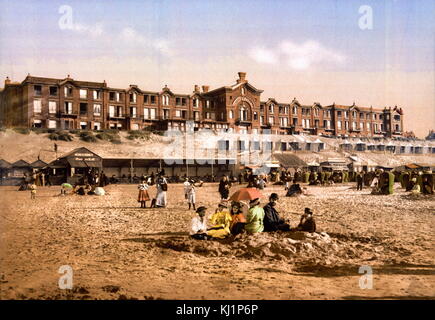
{"points": [[71, 104]]}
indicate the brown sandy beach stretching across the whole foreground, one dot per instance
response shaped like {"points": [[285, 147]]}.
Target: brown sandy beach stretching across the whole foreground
{"points": [[120, 251]]}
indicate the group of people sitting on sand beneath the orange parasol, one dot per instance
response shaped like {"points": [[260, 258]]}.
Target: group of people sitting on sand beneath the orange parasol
{"points": [[226, 222]]}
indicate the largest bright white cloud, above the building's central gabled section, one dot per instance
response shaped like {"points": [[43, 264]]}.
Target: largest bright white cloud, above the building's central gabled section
{"points": [[297, 56]]}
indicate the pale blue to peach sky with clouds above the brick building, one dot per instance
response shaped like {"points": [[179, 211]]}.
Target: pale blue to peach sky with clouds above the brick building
{"points": [[374, 53]]}
